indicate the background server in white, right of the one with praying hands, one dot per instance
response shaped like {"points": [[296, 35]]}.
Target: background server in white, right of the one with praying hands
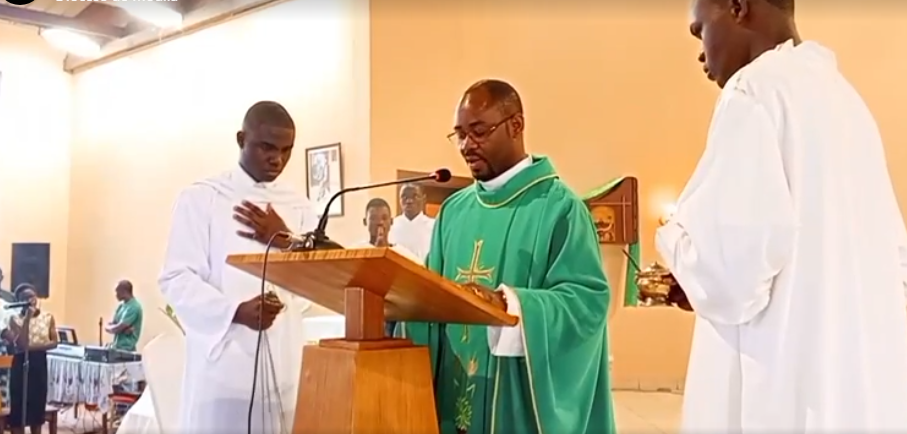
{"points": [[412, 229]]}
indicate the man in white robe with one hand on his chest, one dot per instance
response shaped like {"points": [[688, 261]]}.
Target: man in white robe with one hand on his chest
{"points": [[218, 305]]}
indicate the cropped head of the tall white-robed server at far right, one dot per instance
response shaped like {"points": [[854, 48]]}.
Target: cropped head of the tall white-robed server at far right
{"points": [[736, 32]]}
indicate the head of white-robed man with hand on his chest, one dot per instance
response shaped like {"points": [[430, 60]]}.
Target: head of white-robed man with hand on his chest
{"points": [[266, 140]]}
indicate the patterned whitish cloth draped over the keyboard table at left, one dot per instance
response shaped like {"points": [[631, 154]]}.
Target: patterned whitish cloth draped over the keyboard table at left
{"points": [[74, 381]]}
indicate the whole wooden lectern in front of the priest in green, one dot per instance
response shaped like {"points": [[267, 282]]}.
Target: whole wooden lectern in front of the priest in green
{"points": [[365, 382]]}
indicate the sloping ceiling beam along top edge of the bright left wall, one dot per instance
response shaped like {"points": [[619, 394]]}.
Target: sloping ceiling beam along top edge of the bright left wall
{"points": [[209, 15]]}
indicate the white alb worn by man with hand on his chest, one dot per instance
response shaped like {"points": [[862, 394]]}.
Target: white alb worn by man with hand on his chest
{"points": [[205, 292]]}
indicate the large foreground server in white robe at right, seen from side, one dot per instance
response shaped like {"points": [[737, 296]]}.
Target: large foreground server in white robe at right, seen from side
{"points": [[788, 241]]}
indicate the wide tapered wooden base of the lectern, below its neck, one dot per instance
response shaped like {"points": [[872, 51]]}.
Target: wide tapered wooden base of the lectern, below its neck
{"points": [[365, 387]]}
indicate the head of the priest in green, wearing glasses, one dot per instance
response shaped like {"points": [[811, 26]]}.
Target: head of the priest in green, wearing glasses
{"points": [[488, 128]]}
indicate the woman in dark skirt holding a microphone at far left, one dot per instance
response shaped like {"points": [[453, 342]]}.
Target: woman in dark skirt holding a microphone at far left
{"points": [[31, 333]]}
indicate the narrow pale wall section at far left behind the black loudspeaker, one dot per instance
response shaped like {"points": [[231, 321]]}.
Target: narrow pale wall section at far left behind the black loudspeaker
{"points": [[35, 134]]}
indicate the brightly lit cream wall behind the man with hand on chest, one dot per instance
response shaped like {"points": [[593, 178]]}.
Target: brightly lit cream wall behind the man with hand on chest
{"points": [[149, 125]]}
